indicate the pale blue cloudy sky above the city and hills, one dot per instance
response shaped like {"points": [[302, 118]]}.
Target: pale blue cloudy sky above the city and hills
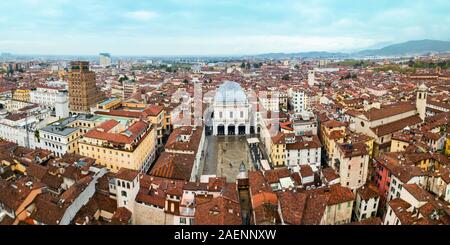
{"points": [[215, 27]]}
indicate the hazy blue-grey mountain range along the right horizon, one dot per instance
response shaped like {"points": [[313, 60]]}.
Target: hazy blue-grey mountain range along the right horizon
{"points": [[410, 48]]}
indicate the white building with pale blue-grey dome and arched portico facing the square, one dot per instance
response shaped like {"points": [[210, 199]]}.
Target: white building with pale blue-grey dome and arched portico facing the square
{"points": [[232, 114]]}
